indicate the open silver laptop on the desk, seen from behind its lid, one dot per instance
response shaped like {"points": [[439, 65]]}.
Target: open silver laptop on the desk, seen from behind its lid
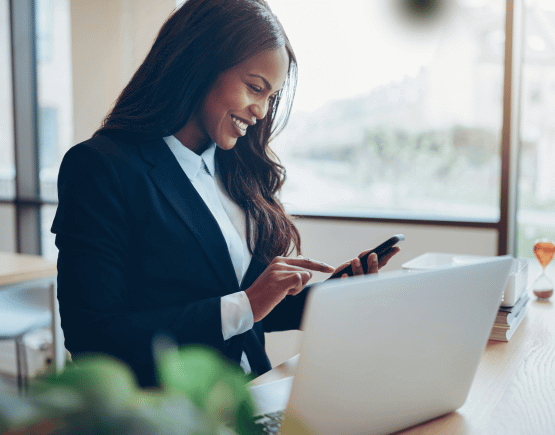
{"points": [[384, 352]]}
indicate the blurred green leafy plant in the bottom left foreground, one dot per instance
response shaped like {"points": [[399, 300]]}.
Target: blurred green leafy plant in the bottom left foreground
{"points": [[200, 393]]}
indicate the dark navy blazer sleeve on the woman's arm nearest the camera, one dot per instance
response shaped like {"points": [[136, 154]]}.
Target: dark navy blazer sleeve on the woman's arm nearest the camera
{"points": [[92, 227]]}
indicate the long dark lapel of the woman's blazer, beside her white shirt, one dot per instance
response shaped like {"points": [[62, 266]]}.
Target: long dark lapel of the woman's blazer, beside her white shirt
{"points": [[177, 188]]}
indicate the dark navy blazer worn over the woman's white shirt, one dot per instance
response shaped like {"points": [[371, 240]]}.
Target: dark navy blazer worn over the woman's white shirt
{"points": [[141, 254]]}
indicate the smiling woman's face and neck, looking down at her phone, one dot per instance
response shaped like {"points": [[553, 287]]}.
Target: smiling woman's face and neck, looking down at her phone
{"points": [[238, 99]]}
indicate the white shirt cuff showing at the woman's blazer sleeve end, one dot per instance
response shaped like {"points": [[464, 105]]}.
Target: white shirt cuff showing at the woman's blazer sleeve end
{"points": [[236, 314]]}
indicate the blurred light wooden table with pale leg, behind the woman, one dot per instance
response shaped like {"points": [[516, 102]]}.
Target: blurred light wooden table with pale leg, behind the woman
{"points": [[19, 271]]}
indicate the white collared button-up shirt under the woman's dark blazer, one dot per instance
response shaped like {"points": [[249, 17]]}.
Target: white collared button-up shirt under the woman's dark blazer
{"points": [[201, 170]]}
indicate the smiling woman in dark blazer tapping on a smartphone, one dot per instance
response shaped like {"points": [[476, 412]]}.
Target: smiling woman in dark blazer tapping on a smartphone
{"points": [[168, 219]]}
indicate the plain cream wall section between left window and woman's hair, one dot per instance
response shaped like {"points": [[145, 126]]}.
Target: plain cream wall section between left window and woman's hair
{"points": [[110, 38]]}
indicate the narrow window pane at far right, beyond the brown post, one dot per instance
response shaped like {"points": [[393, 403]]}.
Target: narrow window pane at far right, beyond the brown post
{"points": [[536, 215]]}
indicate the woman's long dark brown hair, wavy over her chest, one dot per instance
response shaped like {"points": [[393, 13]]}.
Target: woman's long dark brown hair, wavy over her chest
{"points": [[198, 42]]}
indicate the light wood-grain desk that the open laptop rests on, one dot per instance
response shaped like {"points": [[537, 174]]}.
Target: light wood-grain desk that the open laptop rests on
{"points": [[514, 388]]}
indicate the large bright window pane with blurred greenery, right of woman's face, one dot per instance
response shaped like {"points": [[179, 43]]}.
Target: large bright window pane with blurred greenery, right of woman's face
{"points": [[395, 114]]}
